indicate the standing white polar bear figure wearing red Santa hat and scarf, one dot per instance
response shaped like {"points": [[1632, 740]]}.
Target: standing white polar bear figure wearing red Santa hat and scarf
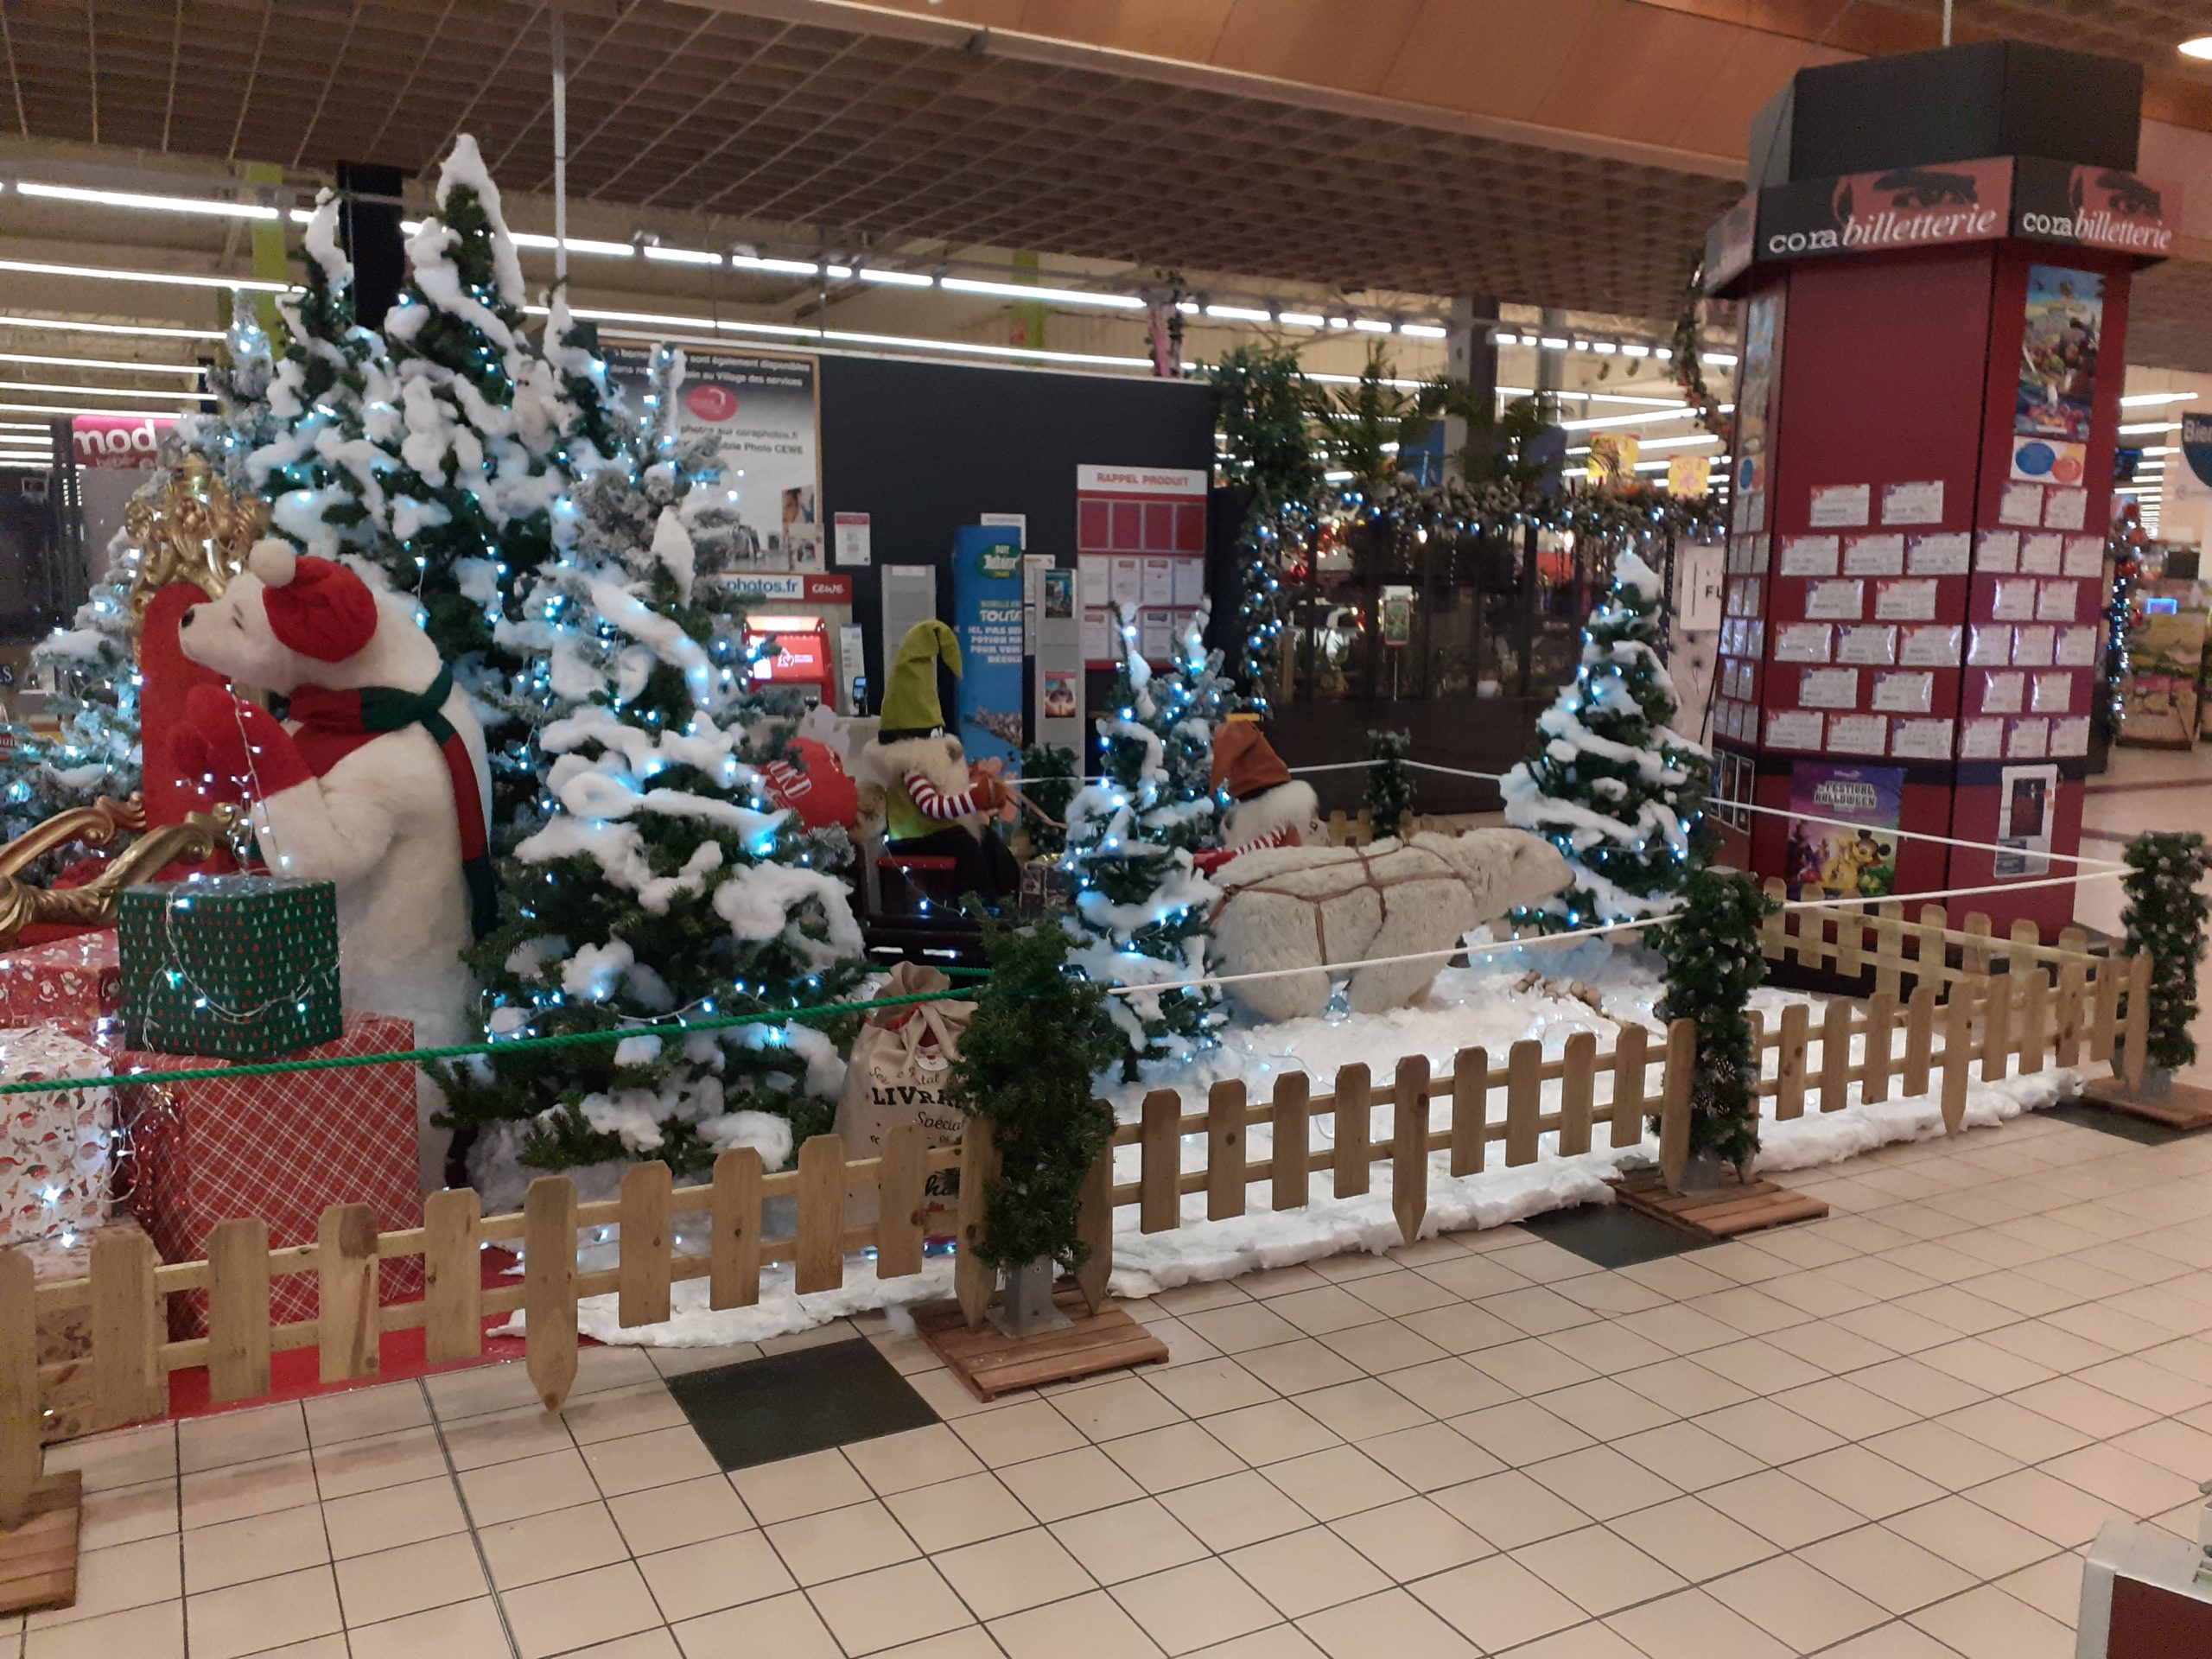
{"points": [[377, 784]]}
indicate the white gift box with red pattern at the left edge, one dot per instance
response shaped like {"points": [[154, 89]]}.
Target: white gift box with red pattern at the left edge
{"points": [[56, 1147]]}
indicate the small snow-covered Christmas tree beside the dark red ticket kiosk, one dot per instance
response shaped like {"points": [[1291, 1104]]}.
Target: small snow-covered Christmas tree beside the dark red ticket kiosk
{"points": [[1607, 780]]}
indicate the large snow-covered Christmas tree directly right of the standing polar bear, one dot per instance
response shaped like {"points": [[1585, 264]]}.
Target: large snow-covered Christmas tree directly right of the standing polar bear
{"points": [[660, 886]]}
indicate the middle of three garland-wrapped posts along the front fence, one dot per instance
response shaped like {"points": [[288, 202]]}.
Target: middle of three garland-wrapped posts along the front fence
{"points": [[1713, 966]]}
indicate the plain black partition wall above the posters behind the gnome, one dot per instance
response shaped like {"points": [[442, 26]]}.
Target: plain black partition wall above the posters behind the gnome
{"points": [[924, 448]]}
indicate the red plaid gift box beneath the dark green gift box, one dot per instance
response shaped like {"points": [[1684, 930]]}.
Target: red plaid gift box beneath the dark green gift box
{"points": [[282, 1149]]}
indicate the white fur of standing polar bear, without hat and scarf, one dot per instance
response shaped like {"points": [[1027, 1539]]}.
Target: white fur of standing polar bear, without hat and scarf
{"points": [[382, 826]]}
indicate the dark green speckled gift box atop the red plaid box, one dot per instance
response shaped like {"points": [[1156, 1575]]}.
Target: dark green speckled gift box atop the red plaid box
{"points": [[240, 968]]}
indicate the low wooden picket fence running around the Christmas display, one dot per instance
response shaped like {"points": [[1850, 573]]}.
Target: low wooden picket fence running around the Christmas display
{"points": [[2052, 1005]]}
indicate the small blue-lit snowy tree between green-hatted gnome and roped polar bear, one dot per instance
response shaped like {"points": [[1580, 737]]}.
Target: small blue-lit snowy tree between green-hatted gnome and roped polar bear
{"points": [[1140, 904]]}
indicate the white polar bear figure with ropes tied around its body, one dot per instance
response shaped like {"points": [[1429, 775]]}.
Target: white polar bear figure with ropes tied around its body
{"points": [[1311, 908]]}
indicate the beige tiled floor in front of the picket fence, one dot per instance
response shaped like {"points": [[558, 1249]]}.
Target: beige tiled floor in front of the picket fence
{"points": [[1879, 1437]]}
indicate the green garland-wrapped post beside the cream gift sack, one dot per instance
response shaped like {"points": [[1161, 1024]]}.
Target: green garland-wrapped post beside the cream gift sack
{"points": [[1027, 1061]]}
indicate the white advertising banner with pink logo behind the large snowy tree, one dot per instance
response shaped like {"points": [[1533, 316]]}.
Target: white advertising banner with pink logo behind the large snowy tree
{"points": [[764, 415]]}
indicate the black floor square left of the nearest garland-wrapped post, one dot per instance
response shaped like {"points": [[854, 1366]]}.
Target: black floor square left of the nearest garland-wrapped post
{"points": [[793, 1404]]}
